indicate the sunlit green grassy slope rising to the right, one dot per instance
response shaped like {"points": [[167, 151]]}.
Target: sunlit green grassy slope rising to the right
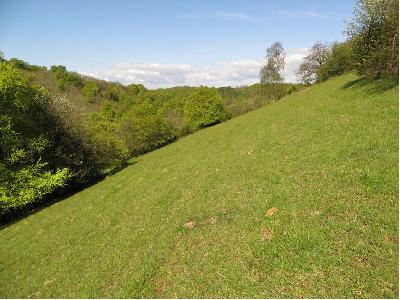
{"points": [[326, 157]]}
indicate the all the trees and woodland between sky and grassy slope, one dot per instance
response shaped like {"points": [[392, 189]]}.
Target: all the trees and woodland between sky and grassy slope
{"points": [[59, 129]]}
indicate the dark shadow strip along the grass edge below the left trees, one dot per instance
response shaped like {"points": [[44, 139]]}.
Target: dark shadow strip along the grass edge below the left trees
{"points": [[57, 196]]}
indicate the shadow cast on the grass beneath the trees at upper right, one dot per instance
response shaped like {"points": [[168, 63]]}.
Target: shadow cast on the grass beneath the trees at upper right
{"points": [[377, 86]]}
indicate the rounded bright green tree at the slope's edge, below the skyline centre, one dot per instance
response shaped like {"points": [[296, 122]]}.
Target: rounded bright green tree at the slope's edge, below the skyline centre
{"points": [[203, 108]]}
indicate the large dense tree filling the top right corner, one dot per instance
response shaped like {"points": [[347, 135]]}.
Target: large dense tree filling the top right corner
{"points": [[374, 34]]}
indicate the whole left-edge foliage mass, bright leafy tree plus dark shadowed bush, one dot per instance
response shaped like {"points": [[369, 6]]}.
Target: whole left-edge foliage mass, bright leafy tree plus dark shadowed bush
{"points": [[43, 146]]}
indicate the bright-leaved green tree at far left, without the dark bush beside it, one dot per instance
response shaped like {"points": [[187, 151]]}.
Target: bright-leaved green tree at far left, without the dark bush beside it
{"points": [[25, 137]]}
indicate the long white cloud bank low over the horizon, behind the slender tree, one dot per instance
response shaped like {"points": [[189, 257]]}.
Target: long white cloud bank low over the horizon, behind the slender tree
{"points": [[225, 73]]}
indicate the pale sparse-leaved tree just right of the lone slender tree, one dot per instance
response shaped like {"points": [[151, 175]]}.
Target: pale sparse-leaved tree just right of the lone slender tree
{"points": [[308, 69]]}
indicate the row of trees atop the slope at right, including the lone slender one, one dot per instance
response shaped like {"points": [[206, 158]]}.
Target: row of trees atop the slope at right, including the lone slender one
{"points": [[371, 48]]}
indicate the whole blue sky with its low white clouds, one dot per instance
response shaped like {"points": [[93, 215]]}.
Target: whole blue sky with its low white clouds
{"points": [[167, 43]]}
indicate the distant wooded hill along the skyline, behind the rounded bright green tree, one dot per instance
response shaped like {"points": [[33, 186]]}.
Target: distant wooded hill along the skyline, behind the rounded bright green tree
{"points": [[58, 80]]}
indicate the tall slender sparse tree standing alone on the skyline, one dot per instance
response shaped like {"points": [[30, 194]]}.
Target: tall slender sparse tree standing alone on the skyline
{"points": [[271, 72]]}
